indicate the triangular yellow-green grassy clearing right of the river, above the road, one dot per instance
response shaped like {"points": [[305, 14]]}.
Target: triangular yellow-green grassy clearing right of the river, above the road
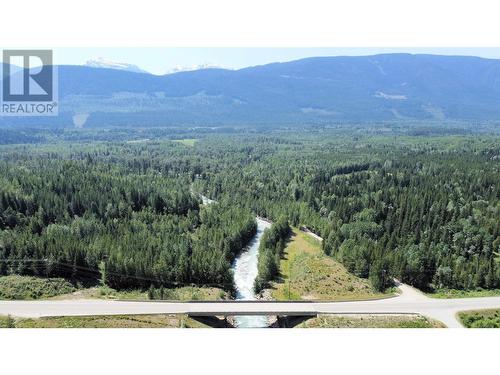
{"points": [[307, 273]]}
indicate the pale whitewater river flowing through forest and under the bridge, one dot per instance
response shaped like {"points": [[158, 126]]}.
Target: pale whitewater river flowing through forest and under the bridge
{"points": [[245, 272]]}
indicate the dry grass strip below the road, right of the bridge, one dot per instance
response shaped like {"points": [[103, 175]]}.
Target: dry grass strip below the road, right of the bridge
{"points": [[370, 321]]}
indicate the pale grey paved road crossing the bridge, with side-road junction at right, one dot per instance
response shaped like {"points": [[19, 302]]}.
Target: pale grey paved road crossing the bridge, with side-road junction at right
{"points": [[410, 301]]}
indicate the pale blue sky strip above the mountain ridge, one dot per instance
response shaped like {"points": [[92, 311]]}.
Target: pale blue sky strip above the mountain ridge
{"points": [[161, 60]]}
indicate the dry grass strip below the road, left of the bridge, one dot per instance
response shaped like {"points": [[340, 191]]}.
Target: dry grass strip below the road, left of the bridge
{"points": [[118, 321]]}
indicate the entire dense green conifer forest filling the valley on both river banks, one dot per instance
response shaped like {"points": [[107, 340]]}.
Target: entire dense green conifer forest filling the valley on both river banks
{"points": [[424, 209]]}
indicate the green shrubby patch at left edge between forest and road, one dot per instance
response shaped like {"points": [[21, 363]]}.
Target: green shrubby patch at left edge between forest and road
{"points": [[29, 287]]}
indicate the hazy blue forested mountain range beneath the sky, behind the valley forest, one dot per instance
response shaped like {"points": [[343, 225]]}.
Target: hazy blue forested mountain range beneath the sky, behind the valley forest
{"points": [[389, 87]]}
